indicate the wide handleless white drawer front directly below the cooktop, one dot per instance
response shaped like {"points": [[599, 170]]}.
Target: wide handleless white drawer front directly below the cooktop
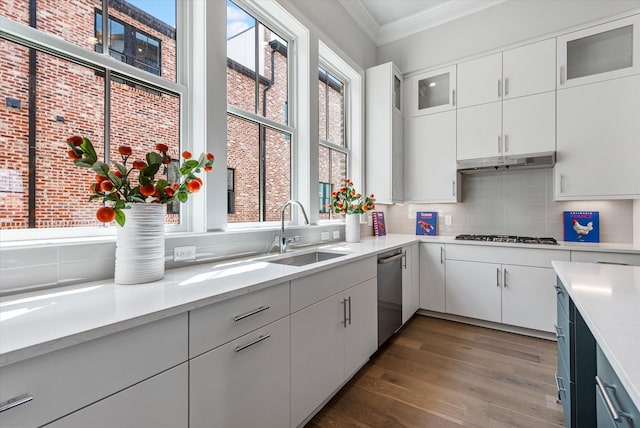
{"points": [[506, 255]]}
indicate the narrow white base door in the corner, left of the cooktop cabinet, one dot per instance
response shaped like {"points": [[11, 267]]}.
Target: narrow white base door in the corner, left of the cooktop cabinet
{"points": [[432, 279]]}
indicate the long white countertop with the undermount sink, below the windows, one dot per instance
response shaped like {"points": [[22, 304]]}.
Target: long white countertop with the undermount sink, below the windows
{"points": [[38, 322]]}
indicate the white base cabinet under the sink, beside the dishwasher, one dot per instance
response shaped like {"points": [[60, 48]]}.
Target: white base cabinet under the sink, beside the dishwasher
{"points": [[333, 332]]}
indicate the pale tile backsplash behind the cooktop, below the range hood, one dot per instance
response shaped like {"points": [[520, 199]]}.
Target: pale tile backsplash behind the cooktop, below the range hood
{"points": [[514, 203]]}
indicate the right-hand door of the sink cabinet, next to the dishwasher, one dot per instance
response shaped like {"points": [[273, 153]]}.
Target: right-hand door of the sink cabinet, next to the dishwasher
{"points": [[361, 331]]}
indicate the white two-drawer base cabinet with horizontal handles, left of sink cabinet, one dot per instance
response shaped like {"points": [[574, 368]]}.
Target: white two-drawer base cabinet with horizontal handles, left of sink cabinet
{"points": [[240, 358]]}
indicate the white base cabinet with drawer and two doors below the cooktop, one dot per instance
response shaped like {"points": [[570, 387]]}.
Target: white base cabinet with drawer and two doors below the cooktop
{"points": [[507, 285]]}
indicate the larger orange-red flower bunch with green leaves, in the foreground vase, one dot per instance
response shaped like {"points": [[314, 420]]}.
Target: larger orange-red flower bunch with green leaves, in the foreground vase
{"points": [[116, 187]]}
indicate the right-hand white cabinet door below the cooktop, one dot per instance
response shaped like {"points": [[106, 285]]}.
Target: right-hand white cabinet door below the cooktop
{"points": [[529, 297]]}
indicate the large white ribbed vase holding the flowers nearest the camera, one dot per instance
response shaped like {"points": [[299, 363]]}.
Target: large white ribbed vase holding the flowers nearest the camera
{"points": [[140, 245]]}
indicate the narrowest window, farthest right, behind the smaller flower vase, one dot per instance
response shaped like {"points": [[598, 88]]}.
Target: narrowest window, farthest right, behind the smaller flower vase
{"points": [[333, 151]]}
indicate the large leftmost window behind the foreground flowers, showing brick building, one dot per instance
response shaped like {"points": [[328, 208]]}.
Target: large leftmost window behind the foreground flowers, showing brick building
{"points": [[54, 91]]}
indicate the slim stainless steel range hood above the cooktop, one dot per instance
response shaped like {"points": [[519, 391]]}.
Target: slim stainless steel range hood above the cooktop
{"points": [[505, 163]]}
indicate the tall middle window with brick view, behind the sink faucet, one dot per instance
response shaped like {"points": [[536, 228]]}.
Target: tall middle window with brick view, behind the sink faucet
{"points": [[259, 137]]}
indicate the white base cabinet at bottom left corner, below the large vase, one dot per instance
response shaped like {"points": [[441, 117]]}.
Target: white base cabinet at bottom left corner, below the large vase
{"points": [[110, 381]]}
